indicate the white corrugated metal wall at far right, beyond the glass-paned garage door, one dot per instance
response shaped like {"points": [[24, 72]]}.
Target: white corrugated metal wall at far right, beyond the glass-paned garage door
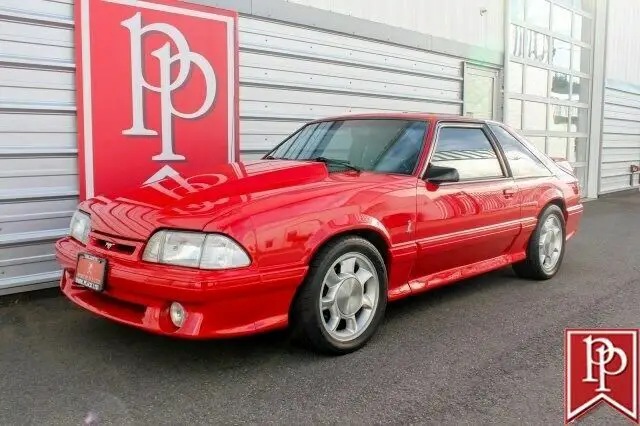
{"points": [[620, 138]]}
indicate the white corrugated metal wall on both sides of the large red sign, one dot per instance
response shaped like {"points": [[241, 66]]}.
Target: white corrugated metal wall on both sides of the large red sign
{"points": [[288, 75]]}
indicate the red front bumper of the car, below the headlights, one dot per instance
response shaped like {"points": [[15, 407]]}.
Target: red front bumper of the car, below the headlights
{"points": [[219, 303]]}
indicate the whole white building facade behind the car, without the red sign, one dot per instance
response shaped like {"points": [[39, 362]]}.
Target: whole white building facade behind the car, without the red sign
{"points": [[564, 72]]}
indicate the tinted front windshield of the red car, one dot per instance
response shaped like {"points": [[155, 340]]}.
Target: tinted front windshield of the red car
{"points": [[390, 146]]}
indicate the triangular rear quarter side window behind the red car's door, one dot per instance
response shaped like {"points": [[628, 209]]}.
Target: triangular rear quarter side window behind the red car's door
{"points": [[523, 163]]}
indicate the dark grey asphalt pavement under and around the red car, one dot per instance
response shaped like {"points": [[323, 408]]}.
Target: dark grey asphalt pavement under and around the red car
{"points": [[488, 350]]}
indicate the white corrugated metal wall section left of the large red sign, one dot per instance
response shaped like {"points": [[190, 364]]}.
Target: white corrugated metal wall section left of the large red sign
{"points": [[38, 170]]}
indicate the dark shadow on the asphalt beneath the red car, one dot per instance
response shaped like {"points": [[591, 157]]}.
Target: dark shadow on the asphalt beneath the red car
{"points": [[235, 352]]}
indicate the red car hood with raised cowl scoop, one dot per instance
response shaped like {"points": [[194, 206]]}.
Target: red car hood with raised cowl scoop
{"points": [[228, 190]]}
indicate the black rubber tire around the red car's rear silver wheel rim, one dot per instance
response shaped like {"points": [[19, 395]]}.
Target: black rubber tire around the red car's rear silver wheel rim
{"points": [[532, 267]]}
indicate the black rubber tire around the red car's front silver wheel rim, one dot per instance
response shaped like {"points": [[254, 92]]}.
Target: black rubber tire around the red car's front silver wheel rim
{"points": [[307, 317]]}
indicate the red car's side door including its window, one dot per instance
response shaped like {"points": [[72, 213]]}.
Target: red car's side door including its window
{"points": [[472, 220]]}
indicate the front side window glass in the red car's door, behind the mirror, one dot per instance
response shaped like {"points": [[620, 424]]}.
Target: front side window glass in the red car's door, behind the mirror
{"points": [[469, 151]]}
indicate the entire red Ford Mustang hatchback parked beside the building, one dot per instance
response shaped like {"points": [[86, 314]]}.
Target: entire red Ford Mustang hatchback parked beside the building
{"points": [[343, 216]]}
